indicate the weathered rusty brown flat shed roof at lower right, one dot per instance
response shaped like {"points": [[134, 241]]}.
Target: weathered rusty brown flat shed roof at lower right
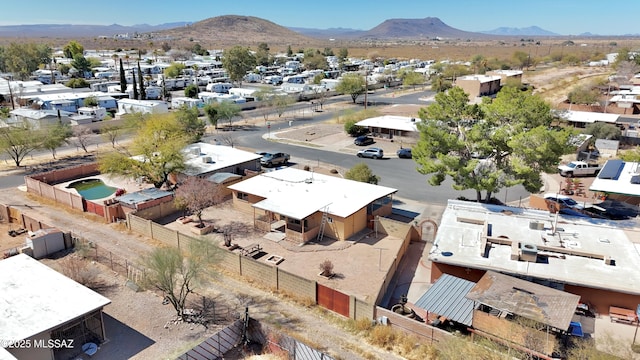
{"points": [[526, 299]]}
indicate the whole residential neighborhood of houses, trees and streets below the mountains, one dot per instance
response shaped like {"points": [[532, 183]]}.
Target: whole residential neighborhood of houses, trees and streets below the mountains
{"points": [[240, 202]]}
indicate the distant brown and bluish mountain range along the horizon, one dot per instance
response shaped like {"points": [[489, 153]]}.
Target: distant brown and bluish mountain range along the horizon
{"points": [[250, 30]]}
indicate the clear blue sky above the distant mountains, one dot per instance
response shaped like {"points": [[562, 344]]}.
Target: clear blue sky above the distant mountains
{"points": [[565, 17]]}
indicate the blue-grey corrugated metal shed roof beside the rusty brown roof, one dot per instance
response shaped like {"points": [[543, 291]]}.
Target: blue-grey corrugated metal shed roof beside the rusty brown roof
{"points": [[447, 298]]}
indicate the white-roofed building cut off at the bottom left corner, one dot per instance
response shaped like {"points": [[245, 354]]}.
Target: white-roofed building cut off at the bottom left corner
{"points": [[40, 306]]}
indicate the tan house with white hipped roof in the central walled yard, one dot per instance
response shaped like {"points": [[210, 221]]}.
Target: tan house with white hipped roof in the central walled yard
{"points": [[303, 204]]}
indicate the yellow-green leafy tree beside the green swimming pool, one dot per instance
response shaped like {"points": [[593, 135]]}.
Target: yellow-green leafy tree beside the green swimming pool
{"points": [[157, 149]]}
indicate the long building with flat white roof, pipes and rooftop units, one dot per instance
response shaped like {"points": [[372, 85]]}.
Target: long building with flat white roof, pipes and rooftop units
{"points": [[593, 258]]}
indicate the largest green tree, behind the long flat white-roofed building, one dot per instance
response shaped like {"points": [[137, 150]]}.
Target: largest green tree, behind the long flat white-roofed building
{"points": [[502, 143]]}
